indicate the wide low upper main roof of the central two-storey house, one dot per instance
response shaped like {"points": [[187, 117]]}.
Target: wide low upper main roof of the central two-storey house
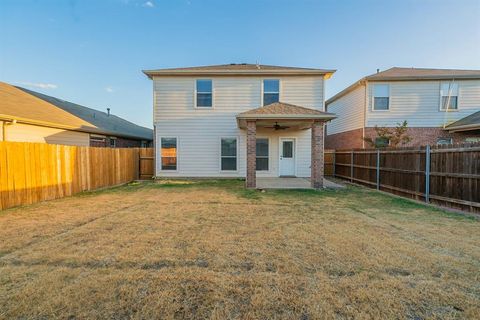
{"points": [[238, 69]]}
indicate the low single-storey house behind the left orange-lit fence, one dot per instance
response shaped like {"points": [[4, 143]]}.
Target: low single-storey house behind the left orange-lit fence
{"points": [[34, 117]]}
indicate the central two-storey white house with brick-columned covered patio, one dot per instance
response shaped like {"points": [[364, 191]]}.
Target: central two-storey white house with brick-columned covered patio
{"points": [[206, 118]]}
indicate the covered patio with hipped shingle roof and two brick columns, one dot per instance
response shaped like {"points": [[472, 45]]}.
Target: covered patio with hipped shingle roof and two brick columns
{"points": [[287, 117]]}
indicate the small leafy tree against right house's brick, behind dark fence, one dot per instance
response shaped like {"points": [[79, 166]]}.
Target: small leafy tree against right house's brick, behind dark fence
{"points": [[389, 137]]}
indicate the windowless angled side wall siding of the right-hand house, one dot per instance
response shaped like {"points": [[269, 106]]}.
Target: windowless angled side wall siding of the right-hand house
{"points": [[349, 110]]}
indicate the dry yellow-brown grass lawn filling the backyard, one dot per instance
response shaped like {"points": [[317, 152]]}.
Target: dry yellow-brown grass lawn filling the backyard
{"points": [[213, 250]]}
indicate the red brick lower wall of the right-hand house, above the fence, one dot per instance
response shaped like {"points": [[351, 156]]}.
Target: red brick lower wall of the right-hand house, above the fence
{"points": [[420, 137]]}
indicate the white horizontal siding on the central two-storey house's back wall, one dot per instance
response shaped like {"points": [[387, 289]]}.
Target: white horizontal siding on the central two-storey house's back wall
{"points": [[199, 130]]}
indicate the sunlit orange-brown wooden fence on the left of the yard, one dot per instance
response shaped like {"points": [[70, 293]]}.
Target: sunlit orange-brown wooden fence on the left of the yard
{"points": [[33, 172]]}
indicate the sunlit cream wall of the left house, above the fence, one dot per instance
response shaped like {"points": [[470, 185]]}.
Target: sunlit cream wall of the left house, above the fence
{"points": [[30, 133]]}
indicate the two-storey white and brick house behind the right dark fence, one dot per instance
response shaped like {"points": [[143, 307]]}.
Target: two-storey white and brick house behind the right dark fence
{"points": [[430, 100]]}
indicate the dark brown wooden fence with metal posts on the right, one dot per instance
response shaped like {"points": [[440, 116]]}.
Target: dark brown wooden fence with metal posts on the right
{"points": [[445, 175]]}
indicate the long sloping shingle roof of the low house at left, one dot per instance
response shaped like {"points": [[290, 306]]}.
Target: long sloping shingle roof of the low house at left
{"points": [[31, 107]]}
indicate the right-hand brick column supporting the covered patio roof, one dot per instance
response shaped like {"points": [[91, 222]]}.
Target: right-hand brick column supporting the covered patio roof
{"points": [[317, 155]]}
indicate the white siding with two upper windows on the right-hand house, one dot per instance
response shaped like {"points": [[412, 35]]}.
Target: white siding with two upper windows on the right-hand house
{"points": [[418, 102]]}
